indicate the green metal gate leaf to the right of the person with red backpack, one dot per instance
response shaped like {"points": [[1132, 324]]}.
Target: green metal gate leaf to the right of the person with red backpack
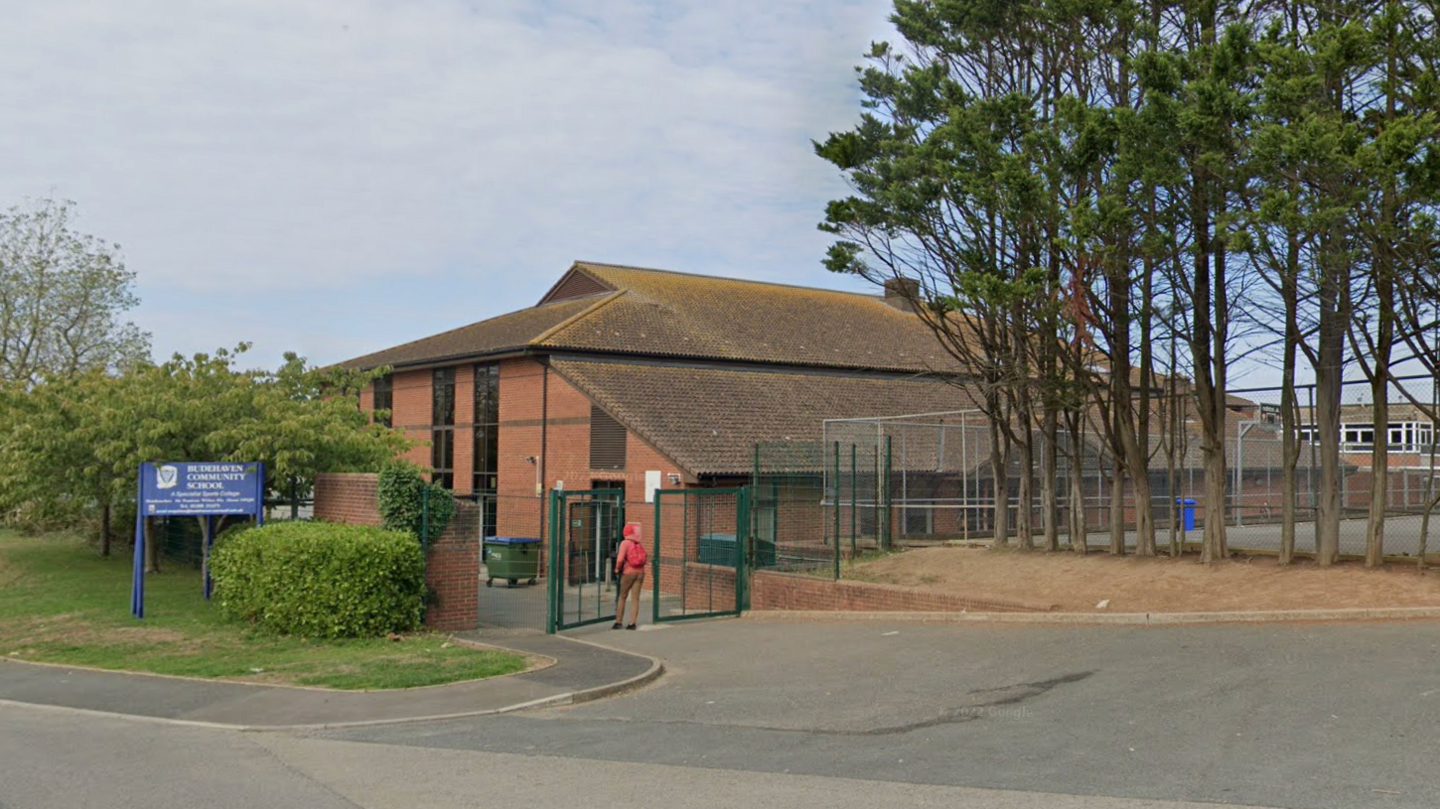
{"points": [[701, 553]]}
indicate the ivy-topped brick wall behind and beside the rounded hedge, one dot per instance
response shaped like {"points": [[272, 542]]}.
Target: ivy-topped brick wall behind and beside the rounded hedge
{"points": [[453, 565]]}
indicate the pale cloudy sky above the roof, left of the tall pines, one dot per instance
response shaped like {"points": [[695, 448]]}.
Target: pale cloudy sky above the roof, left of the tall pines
{"points": [[339, 176]]}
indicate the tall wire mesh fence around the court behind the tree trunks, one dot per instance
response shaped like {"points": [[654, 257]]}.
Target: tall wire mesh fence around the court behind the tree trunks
{"points": [[879, 483]]}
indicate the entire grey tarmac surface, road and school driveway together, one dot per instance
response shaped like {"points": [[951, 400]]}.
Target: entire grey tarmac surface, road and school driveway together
{"points": [[843, 715]]}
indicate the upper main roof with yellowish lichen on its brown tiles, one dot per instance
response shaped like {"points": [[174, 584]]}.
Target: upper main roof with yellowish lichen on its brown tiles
{"points": [[672, 315]]}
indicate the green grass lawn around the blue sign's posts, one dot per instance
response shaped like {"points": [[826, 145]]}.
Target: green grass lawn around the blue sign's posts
{"points": [[61, 602]]}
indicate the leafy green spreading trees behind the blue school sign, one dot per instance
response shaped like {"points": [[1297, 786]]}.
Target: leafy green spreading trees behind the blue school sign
{"points": [[81, 440]]}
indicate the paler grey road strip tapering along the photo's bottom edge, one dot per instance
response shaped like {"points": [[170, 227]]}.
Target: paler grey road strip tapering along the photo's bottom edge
{"points": [[66, 761]]}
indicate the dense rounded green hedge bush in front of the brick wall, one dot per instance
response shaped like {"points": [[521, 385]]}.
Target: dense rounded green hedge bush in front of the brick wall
{"points": [[320, 579]]}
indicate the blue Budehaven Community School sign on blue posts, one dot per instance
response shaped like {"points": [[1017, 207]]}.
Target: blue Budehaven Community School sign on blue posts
{"points": [[194, 490]]}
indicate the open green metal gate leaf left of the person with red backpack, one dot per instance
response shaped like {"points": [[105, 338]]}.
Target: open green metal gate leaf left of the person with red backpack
{"points": [[585, 530]]}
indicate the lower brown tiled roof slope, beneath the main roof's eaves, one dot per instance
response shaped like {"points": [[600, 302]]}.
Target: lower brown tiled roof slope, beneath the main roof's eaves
{"points": [[709, 420]]}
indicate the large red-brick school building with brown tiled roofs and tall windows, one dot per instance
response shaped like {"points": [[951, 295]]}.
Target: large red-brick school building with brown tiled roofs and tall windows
{"points": [[621, 375]]}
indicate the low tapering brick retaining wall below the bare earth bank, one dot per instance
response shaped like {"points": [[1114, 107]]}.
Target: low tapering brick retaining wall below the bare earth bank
{"points": [[784, 591]]}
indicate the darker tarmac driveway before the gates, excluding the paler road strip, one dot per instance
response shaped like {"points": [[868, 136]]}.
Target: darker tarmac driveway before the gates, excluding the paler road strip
{"points": [[1297, 716]]}
